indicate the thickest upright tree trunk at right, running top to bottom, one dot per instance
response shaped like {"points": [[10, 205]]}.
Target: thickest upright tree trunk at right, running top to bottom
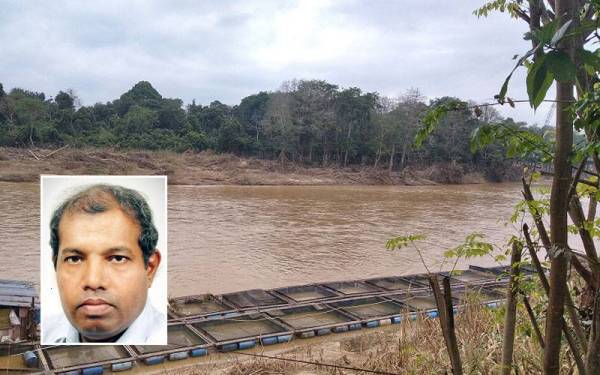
{"points": [[559, 206]]}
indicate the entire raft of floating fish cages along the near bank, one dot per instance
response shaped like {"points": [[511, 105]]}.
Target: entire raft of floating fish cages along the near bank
{"points": [[202, 324]]}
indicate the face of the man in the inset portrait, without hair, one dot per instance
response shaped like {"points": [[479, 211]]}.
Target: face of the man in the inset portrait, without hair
{"points": [[100, 270]]}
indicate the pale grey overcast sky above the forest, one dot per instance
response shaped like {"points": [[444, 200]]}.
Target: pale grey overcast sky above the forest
{"points": [[226, 50]]}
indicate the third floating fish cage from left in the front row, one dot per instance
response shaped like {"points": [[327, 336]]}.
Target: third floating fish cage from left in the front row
{"points": [[242, 332]]}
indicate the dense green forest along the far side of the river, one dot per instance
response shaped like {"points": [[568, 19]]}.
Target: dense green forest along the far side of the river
{"points": [[311, 122]]}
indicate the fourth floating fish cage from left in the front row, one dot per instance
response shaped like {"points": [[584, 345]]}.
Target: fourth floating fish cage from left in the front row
{"points": [[313, 320]]}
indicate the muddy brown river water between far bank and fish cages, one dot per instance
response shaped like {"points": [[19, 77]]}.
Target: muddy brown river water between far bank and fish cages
{"points": [[230, 238]]}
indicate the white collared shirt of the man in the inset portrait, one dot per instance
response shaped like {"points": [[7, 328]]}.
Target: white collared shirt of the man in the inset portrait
{"points": [[150, 327]]}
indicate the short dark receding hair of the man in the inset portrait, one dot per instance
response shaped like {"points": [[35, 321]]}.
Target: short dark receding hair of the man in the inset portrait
{"points": [[103, 197]]}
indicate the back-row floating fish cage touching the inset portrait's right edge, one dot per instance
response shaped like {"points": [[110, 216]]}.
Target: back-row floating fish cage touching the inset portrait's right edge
{"points": [[202, 305]]}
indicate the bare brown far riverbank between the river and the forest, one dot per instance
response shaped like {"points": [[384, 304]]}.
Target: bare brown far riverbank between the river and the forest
{"points": [[207, 168]]}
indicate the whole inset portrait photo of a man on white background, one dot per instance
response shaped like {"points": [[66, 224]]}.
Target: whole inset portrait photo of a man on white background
{"points": [[103, 260]]}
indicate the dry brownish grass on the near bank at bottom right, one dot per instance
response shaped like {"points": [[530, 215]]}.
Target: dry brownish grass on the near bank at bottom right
{"points": [[412, 347]]}
